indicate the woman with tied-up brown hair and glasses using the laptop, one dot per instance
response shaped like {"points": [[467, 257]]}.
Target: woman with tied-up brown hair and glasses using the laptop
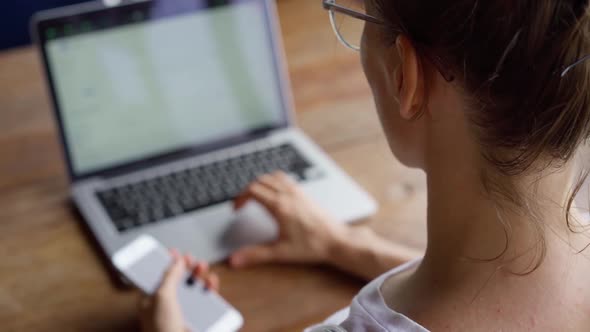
{"points": [[490, 99]]}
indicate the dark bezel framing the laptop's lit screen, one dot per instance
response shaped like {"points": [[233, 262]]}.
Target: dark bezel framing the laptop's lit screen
{"points": [[71, 14]]}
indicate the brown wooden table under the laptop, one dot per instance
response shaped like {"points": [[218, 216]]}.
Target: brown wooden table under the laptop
{"points": [[52, 278]]}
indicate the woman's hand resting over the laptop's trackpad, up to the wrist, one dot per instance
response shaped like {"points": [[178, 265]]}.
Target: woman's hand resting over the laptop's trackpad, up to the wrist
{"points": [[307, 233]]}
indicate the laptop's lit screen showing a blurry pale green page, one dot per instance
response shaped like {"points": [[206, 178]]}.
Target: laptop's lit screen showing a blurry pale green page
{"points": [[139, 82]]}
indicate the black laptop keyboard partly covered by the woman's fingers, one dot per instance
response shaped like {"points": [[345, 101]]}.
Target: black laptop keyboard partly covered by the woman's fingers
{"points": [[162, 197]]}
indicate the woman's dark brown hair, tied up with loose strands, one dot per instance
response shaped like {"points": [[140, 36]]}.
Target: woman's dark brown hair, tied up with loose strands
{"points": [[509, 57]]}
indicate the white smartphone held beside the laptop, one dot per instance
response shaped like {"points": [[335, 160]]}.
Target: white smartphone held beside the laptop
{"points": [[144, 262]]}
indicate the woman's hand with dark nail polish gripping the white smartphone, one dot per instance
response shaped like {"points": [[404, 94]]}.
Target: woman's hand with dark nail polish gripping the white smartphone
{"points": [[161, 312]]}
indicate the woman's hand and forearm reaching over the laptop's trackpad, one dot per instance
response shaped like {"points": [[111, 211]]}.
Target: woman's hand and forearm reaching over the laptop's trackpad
{"points": [[307, 234]]}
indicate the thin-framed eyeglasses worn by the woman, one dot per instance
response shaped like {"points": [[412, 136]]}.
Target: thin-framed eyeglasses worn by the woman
{"points": [[348, 21]]}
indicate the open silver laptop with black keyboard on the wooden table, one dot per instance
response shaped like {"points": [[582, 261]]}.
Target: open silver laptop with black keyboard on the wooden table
{"points": [[168, 109]]}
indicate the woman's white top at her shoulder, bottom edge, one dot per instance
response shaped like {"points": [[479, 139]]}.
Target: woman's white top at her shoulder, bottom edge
{"points": [[369, 312]]}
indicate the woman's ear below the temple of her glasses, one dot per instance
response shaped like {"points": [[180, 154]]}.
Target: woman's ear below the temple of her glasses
{"points": [[410, 79]]}
